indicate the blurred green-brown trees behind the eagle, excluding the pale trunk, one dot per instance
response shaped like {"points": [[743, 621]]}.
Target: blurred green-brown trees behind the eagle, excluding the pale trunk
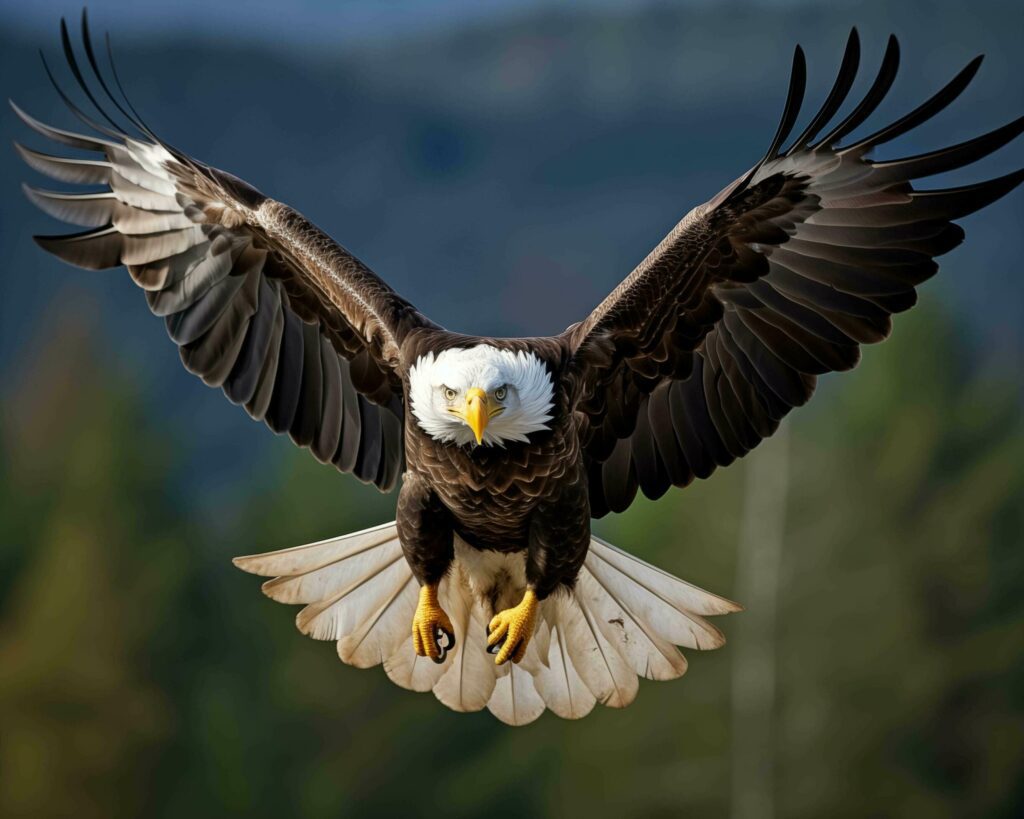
{"points": [[143, 675]]}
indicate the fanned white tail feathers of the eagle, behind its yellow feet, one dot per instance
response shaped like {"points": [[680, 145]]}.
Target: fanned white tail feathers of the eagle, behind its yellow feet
{"points": [[623, 621]]}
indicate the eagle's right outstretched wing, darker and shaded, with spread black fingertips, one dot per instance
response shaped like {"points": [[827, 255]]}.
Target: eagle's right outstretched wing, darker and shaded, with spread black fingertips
{"points": [[700, 354]]}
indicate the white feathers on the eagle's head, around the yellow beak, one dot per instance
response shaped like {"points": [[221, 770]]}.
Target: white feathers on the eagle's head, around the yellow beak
{"points": [[518, 385]]}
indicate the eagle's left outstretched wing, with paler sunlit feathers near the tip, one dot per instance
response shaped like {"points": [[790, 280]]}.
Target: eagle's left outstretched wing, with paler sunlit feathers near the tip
{"points": [[261, 303]]}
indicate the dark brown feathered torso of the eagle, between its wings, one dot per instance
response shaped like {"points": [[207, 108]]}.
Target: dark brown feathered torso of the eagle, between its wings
{"points": [[526, 497]]}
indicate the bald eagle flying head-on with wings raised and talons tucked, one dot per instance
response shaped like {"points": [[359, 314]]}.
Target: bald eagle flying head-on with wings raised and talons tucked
{"points": [[489, 588]]}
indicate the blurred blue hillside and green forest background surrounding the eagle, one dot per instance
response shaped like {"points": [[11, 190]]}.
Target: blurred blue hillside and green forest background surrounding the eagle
{"points": [[476, 155]]}
